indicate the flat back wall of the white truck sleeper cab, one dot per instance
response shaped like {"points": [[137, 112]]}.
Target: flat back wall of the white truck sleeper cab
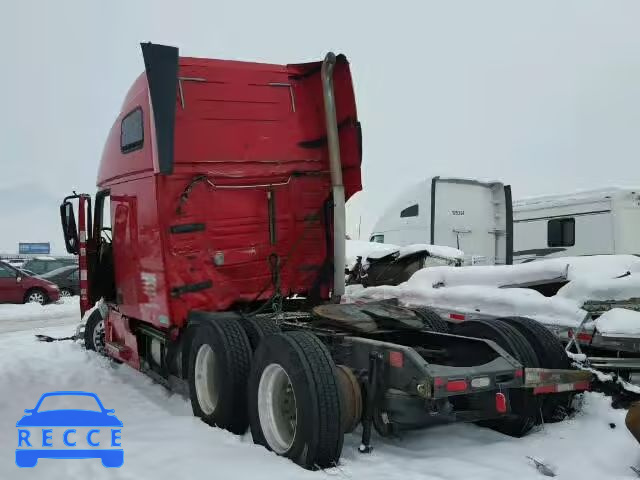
{"points": [[473, 217]]}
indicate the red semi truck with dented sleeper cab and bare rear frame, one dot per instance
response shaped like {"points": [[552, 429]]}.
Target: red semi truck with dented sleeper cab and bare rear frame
{"points": [[216, 240]]}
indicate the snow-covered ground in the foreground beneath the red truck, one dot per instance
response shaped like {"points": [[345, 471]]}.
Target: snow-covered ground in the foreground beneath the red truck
{"points": [[162, 440]]}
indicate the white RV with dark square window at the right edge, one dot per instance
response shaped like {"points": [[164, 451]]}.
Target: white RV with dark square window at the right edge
{"points": [[595, 222]]}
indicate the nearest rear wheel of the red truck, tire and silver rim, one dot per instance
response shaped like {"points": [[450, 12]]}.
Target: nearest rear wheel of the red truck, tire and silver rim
{"points": [[294, 400]]}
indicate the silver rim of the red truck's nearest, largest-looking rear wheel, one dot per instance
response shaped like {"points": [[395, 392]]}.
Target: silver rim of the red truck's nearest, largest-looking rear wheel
{"points": [[277, 408]]}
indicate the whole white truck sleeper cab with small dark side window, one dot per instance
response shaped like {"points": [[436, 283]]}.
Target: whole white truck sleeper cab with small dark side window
{"points": [[469, 215]]}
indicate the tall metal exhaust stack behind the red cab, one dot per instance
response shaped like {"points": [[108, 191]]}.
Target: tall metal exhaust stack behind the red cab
{"points": [[337, 187]]}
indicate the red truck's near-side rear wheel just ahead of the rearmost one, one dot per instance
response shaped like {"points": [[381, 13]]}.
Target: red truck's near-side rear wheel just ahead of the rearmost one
{"points": [[219, 362]]}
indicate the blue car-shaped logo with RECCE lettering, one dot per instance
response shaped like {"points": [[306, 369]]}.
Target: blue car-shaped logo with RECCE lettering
{"points": [[36, 431]]}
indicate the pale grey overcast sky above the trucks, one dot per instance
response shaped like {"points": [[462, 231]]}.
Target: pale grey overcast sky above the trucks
{"points": [[544, 95]]}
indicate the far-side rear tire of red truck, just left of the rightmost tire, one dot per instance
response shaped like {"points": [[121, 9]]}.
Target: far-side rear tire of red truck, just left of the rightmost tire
{"points": [[524, 405]]}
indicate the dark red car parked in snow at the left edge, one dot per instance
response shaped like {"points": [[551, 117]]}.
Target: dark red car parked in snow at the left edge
{"points": [[18, 287]]}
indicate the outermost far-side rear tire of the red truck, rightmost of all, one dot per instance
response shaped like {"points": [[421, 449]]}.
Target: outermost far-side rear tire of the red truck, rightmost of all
{"points": [[551, 354]]}
